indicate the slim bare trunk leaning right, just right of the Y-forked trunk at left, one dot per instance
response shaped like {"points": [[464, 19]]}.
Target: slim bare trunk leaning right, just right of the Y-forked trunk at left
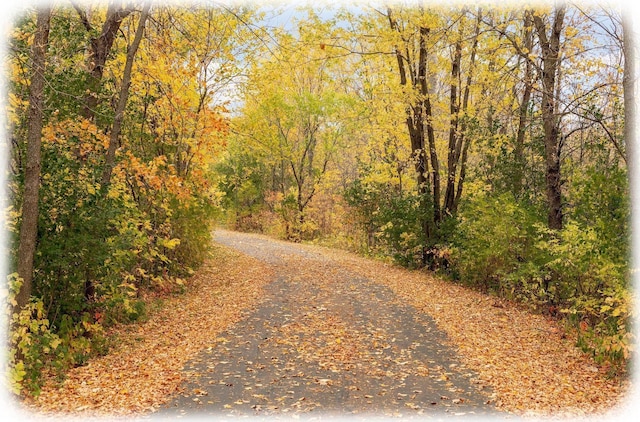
{"points": [[122, 101]]}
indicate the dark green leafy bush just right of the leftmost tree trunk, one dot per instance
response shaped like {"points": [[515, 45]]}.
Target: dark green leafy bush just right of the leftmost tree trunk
{"points": [[88, 237]]}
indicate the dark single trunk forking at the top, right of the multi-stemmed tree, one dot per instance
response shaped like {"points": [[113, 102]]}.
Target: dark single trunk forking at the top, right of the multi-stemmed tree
{"points": [[552, 143]]}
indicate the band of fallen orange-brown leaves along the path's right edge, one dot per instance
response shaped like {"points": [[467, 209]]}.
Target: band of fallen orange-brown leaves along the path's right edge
{"points": [[529, 361]]}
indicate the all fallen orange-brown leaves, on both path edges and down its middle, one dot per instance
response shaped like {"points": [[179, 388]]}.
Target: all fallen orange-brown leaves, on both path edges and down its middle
{"points": [[527, 360]]}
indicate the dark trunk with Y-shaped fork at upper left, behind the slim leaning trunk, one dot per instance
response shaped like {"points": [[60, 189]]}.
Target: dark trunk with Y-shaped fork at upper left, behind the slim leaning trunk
{"points": [[100, 47]]}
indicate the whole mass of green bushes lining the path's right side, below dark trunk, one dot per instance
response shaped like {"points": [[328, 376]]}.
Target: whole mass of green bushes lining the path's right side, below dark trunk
{"points": [[580, 271]]}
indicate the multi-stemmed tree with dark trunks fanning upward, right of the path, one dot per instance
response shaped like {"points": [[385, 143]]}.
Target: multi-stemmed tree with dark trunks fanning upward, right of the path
{"points": [[418, 66]]}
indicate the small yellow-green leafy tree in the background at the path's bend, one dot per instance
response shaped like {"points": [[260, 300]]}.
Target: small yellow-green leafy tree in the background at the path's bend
{"points": [[298, 119]]}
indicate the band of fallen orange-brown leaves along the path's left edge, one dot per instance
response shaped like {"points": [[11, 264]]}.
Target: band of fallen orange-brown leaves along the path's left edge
{"points": [[145, 368]]}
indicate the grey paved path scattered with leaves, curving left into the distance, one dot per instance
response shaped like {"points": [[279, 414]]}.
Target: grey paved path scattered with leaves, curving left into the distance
{"points": [[326, 342]]}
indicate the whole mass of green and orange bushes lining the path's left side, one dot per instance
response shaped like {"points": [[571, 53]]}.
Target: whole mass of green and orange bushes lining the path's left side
{"points": [[99, 246]]}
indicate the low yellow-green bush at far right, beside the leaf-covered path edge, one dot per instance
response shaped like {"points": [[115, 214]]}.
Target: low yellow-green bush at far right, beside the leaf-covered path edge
{"points": [[591, 285]]}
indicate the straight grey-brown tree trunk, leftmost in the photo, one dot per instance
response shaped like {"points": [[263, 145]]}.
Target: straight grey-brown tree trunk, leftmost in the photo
{"points": [[29, 226]]}
